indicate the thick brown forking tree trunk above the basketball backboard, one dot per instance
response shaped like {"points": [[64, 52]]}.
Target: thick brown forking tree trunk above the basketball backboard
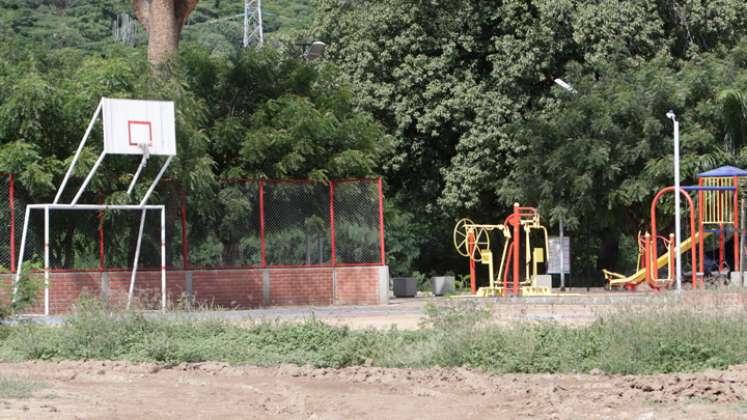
{"points": [[164, 20]]}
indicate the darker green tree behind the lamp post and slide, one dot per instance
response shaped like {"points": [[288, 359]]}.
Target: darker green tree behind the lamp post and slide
{"points": [[596, 158]]}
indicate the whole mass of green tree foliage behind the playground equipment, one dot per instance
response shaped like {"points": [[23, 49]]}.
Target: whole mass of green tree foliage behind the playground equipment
{"points": [[460, 84]]}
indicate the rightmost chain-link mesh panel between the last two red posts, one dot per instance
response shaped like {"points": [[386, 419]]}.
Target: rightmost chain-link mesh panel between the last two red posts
{"points": [[357, 222]]}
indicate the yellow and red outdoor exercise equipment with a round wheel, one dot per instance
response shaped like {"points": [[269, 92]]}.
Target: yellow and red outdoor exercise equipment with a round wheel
{"points": [[472, 240]]}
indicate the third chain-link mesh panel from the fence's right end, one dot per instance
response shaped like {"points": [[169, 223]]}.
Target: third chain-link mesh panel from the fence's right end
{"points": [[229, 235]]}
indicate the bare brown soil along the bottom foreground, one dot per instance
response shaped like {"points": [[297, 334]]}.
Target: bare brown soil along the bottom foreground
{"points": [[119, 390]]}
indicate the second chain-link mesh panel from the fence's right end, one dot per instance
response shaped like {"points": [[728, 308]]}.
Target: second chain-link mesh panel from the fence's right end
{"points": [[297, 227]]}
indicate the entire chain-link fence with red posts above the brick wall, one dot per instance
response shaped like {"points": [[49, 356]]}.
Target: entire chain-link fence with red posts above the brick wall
{"points": [[247, 224]]}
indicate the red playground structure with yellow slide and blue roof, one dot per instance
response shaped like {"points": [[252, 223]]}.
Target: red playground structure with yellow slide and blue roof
{"points": [[717, 195]]}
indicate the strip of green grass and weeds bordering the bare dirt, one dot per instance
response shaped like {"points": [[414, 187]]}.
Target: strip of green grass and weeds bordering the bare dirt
{"points": [[453, 335]]}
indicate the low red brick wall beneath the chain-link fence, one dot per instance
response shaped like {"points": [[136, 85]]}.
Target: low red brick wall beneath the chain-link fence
{"points": [[239, 288]]}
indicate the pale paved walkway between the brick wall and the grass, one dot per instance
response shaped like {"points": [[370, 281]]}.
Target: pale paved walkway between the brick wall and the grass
{"points": [[573, 307]]}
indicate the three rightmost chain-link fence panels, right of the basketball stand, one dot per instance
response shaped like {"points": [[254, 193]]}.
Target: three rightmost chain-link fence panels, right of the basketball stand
{"points": [[289, 223]]}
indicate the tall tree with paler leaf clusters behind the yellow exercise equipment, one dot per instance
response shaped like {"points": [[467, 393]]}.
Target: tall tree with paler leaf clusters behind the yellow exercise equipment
{"points": [[450, 79]]}
